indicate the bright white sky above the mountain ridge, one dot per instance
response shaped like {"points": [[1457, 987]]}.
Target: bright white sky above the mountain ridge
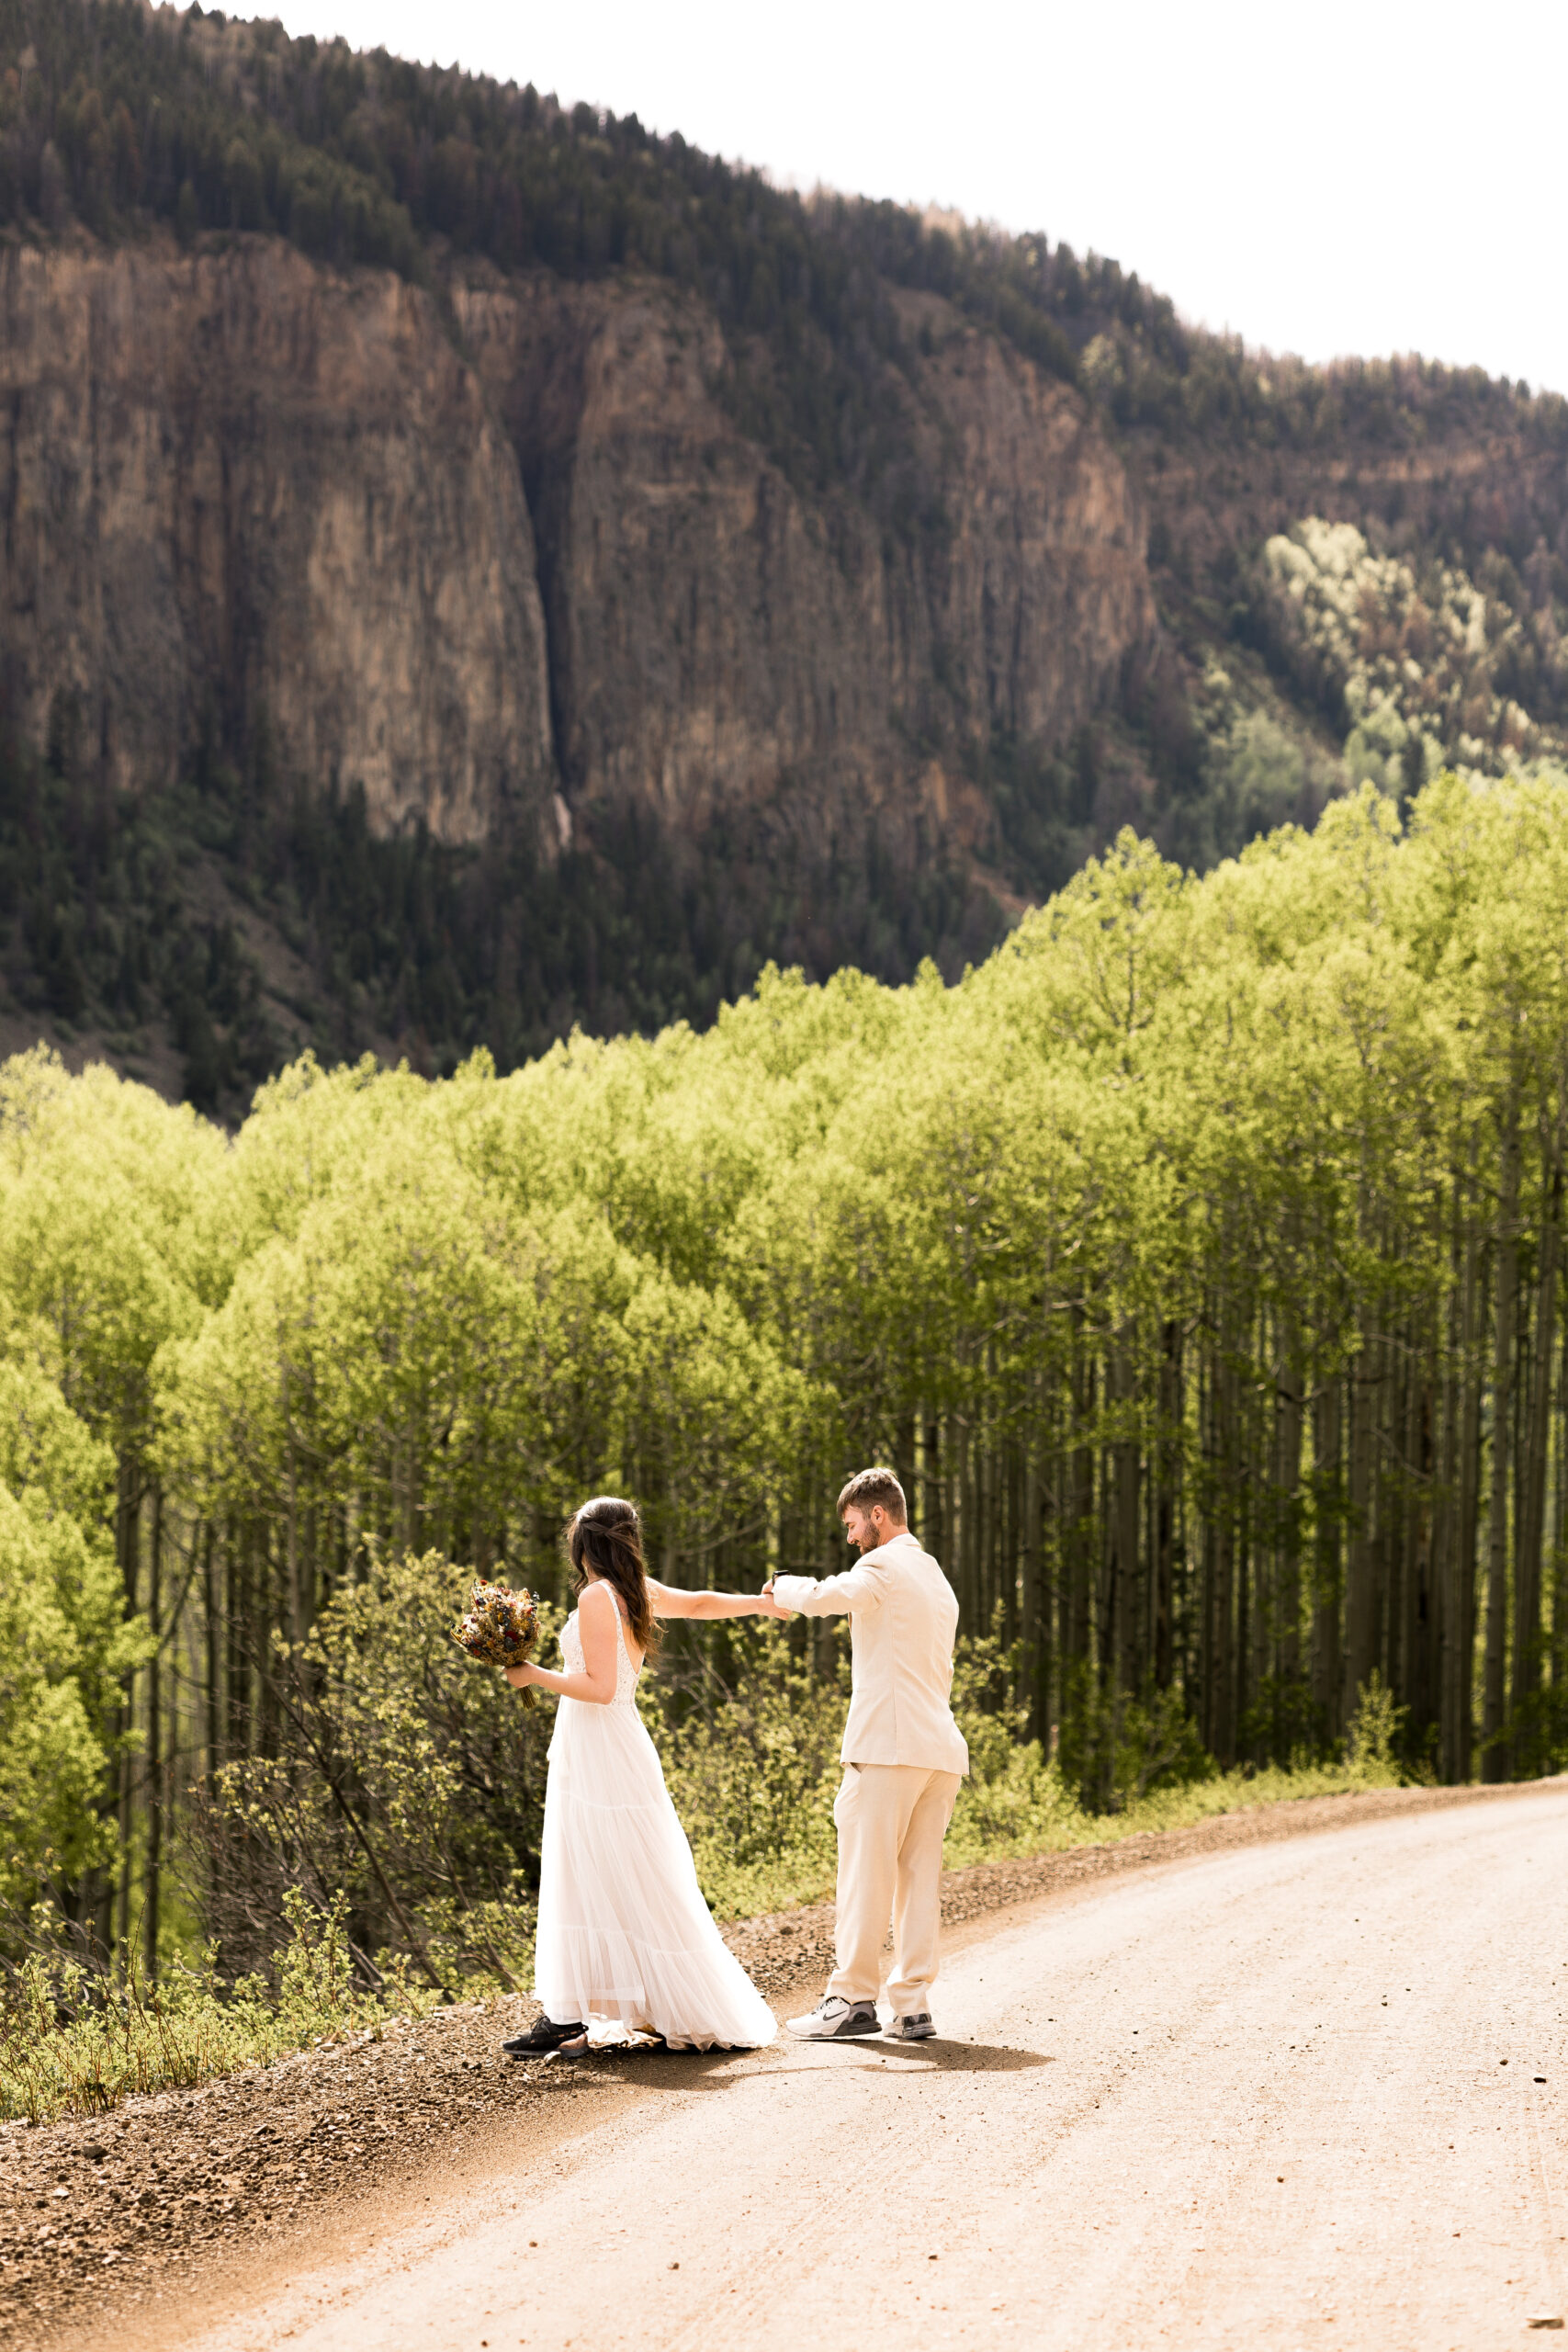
{"points": [[1320, 178]]}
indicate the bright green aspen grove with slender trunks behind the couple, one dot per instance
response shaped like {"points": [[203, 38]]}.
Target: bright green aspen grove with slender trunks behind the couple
{"points": [[1198, 1262]]}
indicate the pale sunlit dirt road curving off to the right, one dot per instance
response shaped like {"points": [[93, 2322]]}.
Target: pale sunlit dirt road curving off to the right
{"points": [[1304, 2094]]}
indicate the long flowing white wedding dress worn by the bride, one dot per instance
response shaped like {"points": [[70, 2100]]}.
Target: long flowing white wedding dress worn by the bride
{"points": [[624, 1932]]}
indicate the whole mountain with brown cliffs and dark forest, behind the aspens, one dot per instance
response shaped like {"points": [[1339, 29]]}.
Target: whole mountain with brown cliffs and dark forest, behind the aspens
{"points": [[471, 568]]}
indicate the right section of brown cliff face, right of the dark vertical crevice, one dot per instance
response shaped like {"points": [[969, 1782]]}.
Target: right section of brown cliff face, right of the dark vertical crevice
{"points": [[716, 636]]}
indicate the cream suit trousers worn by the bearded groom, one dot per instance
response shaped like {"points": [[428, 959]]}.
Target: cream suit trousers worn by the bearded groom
{"points": [[892, 1822]]}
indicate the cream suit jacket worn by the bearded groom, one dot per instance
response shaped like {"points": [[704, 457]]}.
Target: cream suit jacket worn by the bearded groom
{"points": [[904, 1617]]}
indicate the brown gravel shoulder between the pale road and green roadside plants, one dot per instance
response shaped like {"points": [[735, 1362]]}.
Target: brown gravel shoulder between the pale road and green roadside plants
{"points": [[93, 2210]]}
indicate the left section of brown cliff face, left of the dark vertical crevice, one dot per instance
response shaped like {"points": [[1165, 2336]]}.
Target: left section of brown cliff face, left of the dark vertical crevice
{"points": [[241, 488]]}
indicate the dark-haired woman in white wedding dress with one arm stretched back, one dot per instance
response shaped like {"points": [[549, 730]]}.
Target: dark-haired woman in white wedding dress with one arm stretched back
{"points": [[624, 1932]]}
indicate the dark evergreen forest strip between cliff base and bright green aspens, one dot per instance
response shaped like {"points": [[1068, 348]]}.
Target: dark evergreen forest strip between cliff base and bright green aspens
{"points": [[408, 940]]}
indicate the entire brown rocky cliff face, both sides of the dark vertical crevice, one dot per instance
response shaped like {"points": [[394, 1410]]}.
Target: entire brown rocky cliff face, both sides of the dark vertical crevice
{"points": [[528, 561]]}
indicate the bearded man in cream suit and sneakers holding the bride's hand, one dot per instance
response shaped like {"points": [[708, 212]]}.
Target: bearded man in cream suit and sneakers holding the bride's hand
{"points": [[904, 1760]]}
